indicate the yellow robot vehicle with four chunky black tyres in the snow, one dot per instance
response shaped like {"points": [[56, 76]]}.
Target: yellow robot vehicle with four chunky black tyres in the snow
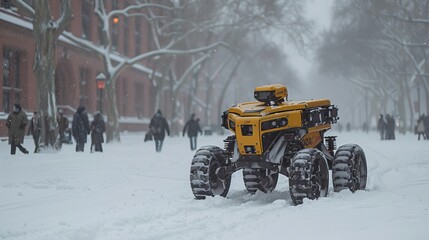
{"points": [[273, 136]]}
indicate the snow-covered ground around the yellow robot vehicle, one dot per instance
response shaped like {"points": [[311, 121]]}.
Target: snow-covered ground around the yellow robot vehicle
{"points": [[132, 192]]}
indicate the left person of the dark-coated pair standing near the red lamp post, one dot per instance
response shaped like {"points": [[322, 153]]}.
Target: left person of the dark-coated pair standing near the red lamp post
{"points": [[80, 128]]}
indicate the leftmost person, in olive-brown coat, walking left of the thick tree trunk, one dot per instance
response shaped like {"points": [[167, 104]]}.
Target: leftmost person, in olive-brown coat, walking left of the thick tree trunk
{"points": [[16, 123]]}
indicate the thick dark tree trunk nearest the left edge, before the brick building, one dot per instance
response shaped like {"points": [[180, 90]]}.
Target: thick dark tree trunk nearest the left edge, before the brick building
{"points": [[46, 32]]}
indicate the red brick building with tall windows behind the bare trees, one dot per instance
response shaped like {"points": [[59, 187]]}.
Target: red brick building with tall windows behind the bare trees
{"points": [[76, 68]]}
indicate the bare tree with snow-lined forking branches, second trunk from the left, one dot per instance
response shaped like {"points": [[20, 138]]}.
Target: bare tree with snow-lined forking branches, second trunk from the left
{"points": [[114, 68]]}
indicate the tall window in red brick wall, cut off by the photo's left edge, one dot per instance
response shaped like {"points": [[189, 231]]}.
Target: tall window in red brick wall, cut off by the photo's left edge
{"points": [[11, 78]]}
